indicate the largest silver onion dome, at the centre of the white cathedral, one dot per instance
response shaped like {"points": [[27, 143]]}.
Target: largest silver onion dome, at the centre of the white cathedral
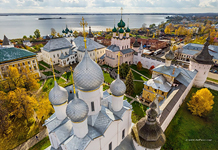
{"points": [[88, 74]]}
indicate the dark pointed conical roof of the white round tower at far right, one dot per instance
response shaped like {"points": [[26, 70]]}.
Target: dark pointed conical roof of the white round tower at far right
{"points": [[203, 57]]}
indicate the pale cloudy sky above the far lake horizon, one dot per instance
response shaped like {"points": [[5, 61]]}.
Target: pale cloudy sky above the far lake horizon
{"points": [[108, 6]]}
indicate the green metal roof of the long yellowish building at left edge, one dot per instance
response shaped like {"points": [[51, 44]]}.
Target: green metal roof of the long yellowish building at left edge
{"points": [[10, 54]]}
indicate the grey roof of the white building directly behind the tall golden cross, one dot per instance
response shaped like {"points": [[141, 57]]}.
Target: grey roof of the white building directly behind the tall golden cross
{"points": [[91, 44]]}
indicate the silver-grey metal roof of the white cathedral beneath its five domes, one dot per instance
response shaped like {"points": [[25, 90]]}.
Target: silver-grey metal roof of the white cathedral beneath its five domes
{"points": [[97, 125]]}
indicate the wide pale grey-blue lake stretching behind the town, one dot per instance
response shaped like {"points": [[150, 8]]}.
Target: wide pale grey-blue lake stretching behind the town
{"points": [[17, 26]]}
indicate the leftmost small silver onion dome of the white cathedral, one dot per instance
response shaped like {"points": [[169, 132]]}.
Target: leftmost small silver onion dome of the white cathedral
{"points": [[58, 95]]}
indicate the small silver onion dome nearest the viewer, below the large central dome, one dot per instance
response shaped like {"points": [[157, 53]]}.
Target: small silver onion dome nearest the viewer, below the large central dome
{"points": [[77, 110]]}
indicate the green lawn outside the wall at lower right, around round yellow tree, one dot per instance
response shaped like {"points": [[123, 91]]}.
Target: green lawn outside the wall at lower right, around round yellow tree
{"points": [[185, 126]]}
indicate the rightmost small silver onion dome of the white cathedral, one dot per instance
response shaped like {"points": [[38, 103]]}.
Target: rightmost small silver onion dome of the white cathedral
{"points": [[118, 87]]}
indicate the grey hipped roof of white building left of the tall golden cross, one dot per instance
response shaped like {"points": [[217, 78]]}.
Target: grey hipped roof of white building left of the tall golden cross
{"points": [[57, 44]]}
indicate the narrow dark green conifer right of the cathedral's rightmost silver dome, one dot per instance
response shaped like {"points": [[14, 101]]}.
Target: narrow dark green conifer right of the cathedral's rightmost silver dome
{"points": [[129, 83]]}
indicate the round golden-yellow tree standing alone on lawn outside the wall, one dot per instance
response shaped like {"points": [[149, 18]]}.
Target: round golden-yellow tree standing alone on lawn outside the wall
{"points": [[201, 102]]}
